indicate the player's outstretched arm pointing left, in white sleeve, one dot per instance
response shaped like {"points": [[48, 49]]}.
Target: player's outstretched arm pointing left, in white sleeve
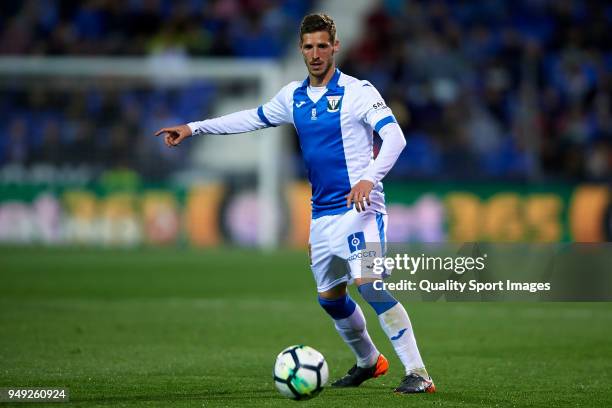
{"points": [[276, 112]]}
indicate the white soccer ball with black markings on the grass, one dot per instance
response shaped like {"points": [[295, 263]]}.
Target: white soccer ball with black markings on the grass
{"points": [[300, 372]]}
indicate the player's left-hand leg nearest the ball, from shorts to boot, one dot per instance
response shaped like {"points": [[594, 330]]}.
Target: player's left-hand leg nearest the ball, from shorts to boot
{"points": [[330, 274]]}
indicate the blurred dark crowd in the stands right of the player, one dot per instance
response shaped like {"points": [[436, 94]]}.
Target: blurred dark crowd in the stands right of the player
{"points": [[529, 71]]}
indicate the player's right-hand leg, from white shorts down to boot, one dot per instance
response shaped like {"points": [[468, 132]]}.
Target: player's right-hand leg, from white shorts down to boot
{"points": [[370, 226]]}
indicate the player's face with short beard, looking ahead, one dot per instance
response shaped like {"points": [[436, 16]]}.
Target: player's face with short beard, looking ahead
{"points": [[318, 52]]}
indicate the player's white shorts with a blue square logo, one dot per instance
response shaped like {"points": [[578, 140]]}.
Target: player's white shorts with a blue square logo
{"points": [[340, 245]]}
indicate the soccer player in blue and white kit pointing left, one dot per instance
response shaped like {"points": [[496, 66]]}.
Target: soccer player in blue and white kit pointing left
{"points": [[335, 116]]}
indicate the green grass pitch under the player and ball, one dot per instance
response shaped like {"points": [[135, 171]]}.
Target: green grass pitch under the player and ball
{"points": [[161, 327]]}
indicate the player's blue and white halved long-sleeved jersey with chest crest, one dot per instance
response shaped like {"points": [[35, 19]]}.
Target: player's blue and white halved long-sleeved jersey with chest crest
{"points": [[335, 129]]}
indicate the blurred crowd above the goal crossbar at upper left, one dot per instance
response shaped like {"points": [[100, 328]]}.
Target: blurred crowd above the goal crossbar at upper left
{"points": [[198, 27]]}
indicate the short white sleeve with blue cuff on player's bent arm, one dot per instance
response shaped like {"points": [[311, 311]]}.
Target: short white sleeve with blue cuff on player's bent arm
{"points": [[371, 108]]}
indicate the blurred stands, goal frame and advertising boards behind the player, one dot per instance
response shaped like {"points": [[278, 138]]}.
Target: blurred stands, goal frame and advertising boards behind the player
{"points": [[506, 107]]}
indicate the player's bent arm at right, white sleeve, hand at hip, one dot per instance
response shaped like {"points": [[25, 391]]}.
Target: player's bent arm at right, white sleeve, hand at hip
{"points": [[375, 113]]}
